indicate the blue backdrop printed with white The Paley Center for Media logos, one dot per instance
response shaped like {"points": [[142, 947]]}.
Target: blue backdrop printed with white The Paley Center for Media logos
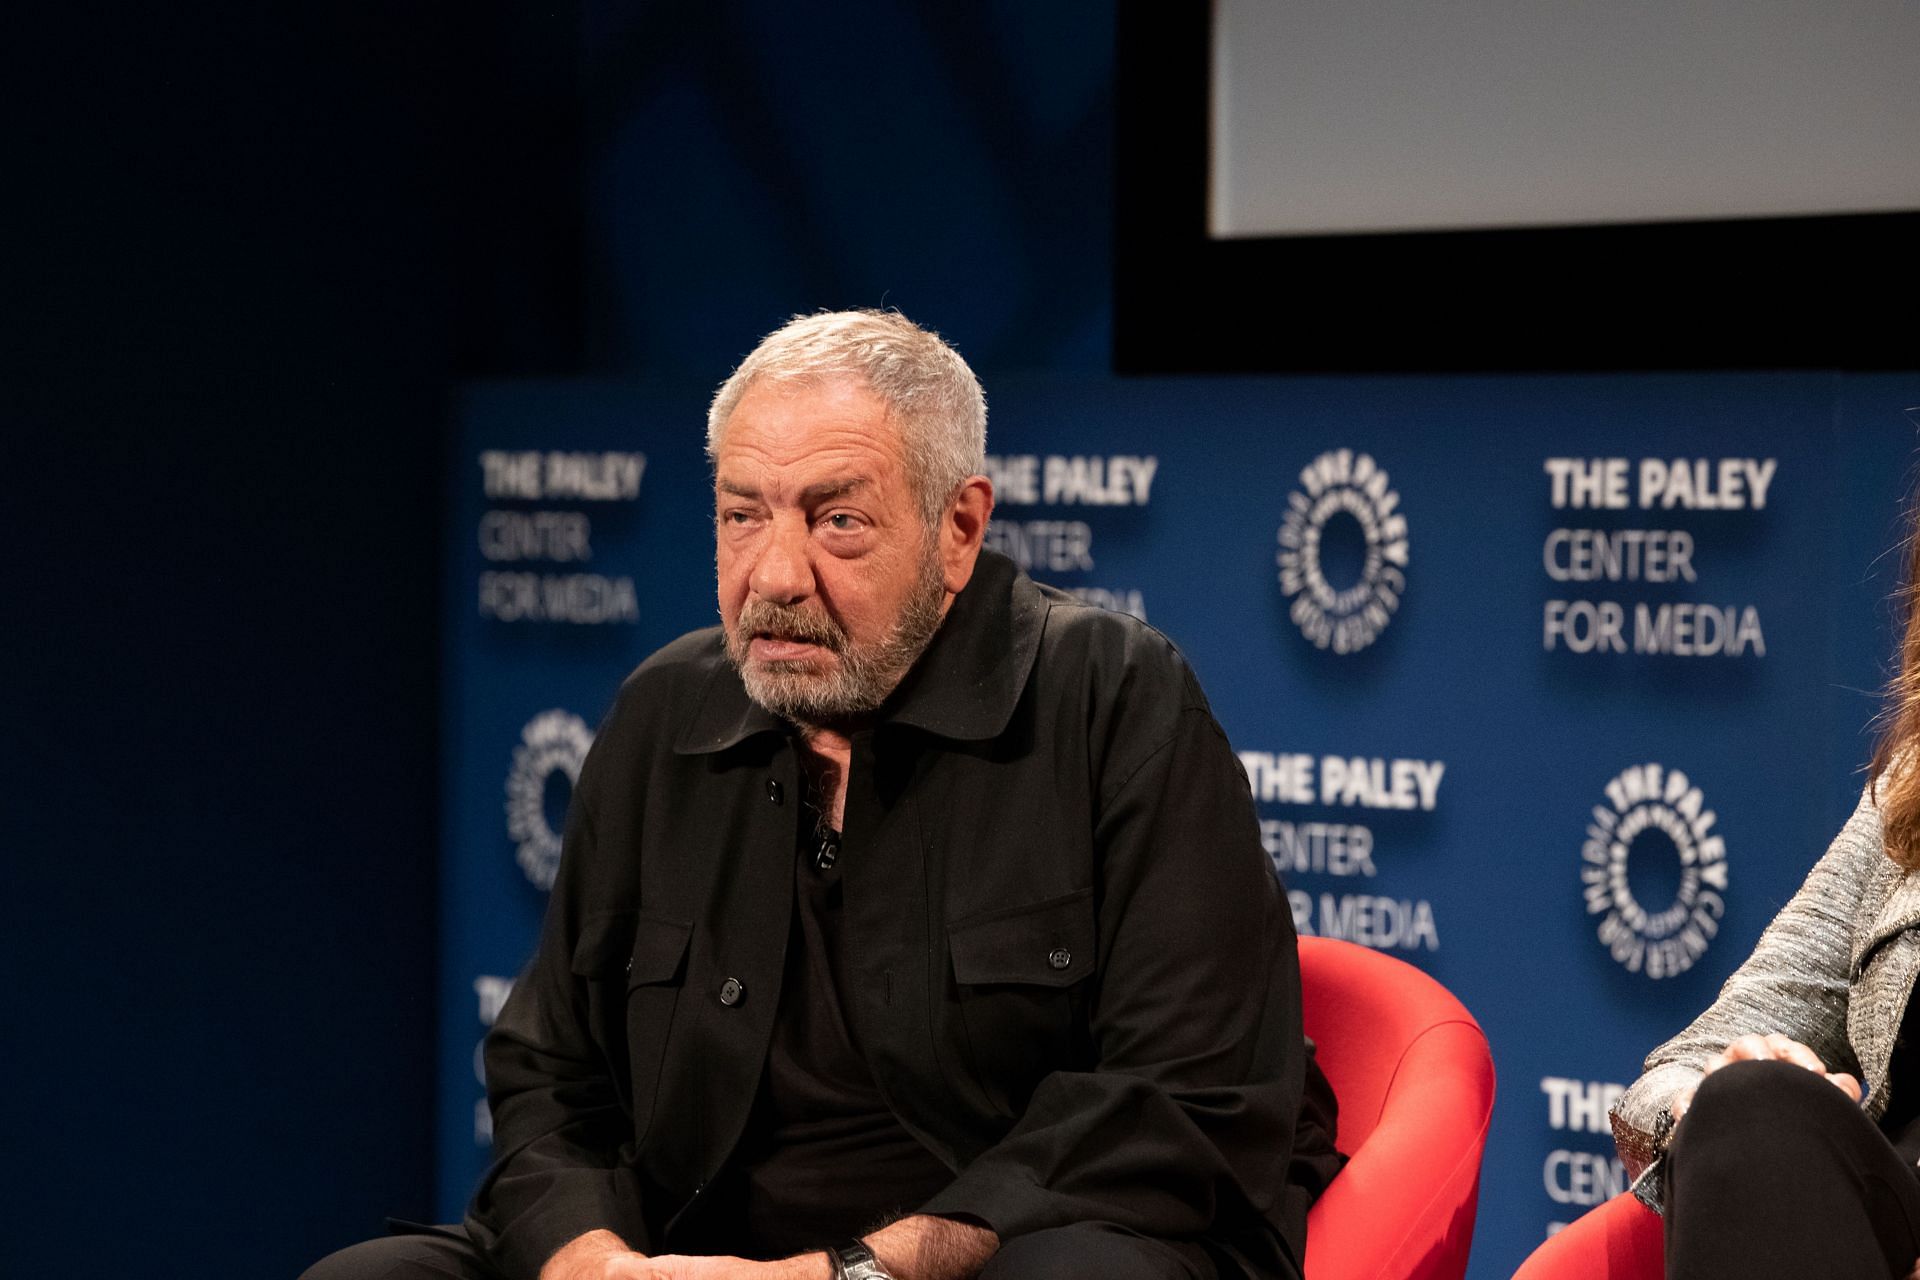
{"points": [[1548, 686]]}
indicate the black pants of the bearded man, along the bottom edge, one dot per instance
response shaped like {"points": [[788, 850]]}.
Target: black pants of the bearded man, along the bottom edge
{"points": [[1082, 1252]]}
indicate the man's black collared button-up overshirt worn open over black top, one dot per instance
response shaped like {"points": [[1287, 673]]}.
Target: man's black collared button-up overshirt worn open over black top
{"points": [[1076, 982]]}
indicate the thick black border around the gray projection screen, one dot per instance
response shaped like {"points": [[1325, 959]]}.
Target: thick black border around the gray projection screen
{"points": [[1792, 293]]}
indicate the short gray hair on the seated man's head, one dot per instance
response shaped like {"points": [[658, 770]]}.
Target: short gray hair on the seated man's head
{"points": [[928, 391]]}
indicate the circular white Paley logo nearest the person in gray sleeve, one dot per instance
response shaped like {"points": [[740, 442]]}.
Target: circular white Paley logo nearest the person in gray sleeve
{"points": [[1654, 872]]}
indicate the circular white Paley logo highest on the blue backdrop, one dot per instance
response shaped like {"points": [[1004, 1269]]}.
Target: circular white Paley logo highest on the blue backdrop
{"points": [[1343, 552]]}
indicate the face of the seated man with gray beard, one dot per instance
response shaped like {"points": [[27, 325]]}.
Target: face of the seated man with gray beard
{"points": [[830, 582]]}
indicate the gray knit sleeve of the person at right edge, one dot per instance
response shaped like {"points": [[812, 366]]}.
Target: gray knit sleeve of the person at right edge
{"points": [[1796, 984]]}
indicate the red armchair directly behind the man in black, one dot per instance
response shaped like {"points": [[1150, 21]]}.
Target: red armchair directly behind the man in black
{"points": [[1416, 1087]]}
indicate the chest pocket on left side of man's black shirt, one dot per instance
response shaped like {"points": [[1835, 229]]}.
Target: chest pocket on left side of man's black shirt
{"points": [[633, 964]]}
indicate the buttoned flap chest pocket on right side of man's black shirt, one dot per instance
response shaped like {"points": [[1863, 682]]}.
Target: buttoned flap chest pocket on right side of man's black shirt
{"points": [[1020, 976]]}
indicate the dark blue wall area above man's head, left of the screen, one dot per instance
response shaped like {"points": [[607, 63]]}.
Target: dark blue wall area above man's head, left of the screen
{"points": [[756, 160]]}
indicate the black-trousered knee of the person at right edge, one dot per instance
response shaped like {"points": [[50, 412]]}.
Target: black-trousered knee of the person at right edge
{"points": [[1777, 1173]]}
